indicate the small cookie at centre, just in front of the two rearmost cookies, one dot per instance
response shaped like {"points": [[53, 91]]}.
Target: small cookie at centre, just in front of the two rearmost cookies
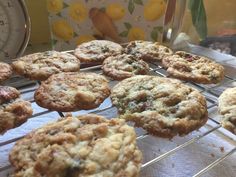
{"points": [[123, 66]]}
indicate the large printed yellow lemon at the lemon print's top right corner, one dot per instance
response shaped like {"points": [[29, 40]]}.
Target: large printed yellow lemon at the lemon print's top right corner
{"points": [[154, 9]]}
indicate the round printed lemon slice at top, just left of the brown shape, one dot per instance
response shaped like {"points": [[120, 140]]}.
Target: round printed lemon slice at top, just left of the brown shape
{"points": [[78, 12]]}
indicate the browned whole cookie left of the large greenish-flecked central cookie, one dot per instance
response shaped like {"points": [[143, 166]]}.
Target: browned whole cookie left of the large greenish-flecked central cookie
{"points": [[72, 91]]}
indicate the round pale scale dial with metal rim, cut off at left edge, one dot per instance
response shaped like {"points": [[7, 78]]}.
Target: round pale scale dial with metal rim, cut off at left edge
{"points": [[14, 29]]}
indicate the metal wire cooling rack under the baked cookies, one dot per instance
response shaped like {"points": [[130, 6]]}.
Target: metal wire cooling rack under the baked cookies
{"points": [[193, 155]]}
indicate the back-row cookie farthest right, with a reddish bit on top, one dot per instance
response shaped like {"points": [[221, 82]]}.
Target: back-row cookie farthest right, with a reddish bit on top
{"points": [[190, 67]]}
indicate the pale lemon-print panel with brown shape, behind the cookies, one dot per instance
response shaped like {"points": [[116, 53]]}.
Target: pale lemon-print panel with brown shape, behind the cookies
{"points": [[73, 22]]}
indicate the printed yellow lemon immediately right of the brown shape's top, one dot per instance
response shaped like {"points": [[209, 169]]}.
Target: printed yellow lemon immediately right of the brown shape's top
{"points": [[115, 11]]}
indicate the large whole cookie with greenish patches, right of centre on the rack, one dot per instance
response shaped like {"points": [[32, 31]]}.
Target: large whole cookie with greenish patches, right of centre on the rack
{"points": [[162, 106]]}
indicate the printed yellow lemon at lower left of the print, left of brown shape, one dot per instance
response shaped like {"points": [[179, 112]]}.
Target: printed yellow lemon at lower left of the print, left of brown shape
{"points": [[62, 29]]}
